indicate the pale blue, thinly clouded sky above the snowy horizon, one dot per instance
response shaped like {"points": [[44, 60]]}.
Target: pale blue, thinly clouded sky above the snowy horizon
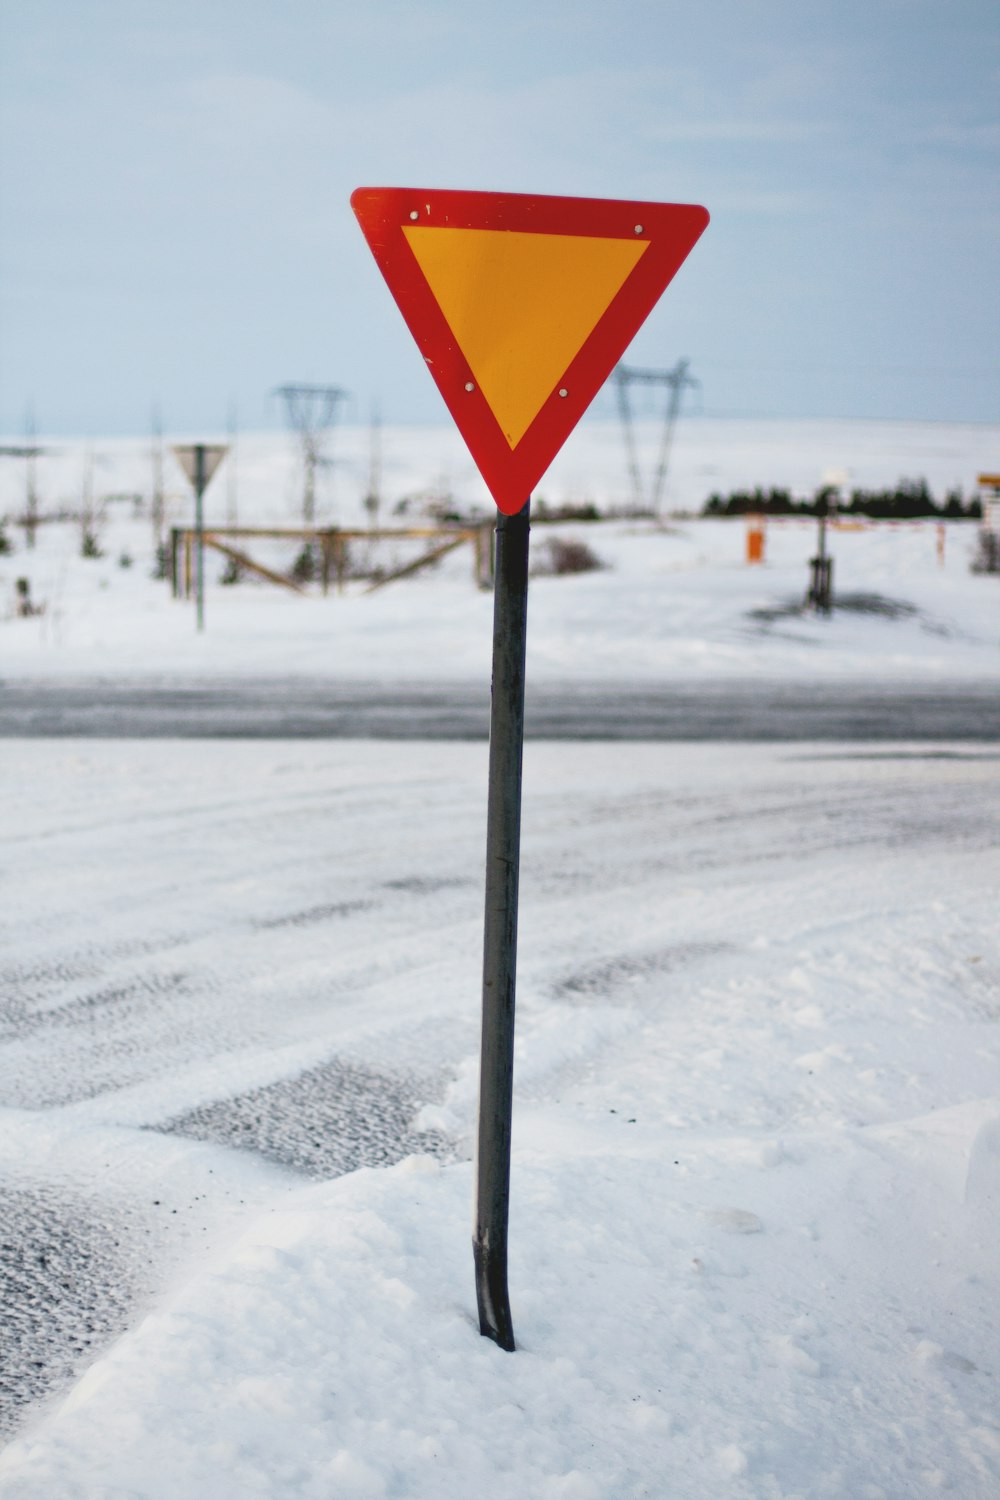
{"points": [[175, 182]]}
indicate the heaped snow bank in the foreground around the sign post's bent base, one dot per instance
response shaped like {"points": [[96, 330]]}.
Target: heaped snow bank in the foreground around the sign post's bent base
{"points": [[743, 1318]]}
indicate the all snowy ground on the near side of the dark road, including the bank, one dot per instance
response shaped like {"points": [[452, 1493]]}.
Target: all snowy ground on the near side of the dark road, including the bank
{"points": [[756, 1139]]}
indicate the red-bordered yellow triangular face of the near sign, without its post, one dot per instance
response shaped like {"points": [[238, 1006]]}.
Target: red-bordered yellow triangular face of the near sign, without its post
{"points": [[522, 307]]}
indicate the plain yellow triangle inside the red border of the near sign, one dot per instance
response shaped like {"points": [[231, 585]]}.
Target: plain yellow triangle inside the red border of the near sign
{"points": [[521, 307]]}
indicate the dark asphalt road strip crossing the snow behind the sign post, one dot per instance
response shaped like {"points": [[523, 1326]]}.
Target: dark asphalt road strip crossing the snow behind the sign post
{"points": [[319, 710]]}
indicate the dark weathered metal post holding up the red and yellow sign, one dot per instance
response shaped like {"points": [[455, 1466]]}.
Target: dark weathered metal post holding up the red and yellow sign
{"points": [[500, 937]]}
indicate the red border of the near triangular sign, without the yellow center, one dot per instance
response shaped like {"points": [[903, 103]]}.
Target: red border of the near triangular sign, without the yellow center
{"points": [[671, 229]]}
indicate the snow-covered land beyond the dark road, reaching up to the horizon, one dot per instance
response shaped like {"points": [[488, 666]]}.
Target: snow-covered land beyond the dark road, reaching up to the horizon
{"points": [[674, 602]]}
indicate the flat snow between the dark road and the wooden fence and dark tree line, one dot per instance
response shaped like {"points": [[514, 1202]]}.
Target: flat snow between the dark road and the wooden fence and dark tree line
{"points": [[669, 604]]}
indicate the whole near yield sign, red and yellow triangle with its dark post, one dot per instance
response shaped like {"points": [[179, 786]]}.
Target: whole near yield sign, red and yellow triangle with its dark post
{"points": [[521, 307]]}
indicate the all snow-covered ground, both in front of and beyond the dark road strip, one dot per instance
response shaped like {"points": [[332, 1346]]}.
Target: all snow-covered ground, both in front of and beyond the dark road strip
{"points": [[756, 1183]]}
